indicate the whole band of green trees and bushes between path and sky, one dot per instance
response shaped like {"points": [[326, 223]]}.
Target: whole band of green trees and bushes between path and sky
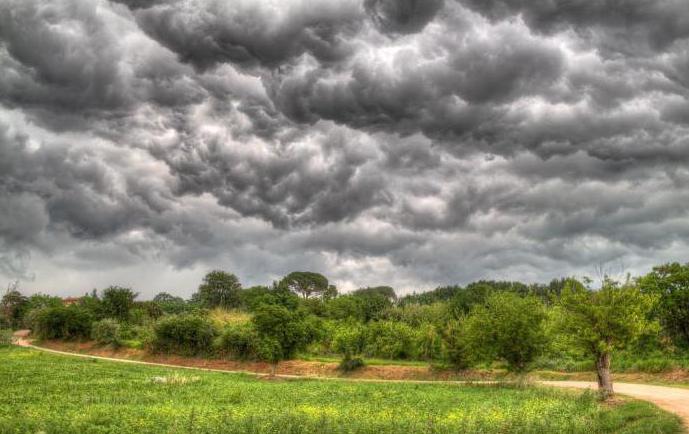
{"points": [[563, 324]]}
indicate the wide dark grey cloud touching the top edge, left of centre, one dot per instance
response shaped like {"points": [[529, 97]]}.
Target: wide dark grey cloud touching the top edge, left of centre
{"points": [[248, 33]]}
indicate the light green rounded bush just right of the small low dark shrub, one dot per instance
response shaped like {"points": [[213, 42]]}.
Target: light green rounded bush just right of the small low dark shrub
{"points": [[389, 340]]}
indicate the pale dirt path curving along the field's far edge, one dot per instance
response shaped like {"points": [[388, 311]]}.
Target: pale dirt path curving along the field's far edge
{"points": [[672, 399]]}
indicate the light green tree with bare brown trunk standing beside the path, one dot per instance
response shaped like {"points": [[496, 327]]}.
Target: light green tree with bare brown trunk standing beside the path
{"points": [[599, 322]]}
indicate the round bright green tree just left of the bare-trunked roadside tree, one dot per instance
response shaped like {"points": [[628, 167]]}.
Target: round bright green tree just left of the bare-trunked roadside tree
{"points": [[508, 327]]}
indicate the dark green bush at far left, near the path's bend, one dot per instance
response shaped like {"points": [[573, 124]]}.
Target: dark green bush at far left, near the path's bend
{"points": [[61, 322]]}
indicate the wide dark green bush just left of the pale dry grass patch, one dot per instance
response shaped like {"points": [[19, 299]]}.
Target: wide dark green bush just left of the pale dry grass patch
{"points": [[184, 334]]}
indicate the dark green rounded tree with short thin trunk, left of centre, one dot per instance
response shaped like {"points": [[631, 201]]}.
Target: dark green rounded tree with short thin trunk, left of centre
{"points": [[281, 333]]}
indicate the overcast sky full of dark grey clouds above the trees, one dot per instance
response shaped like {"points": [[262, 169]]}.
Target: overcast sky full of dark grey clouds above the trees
{"points": [[405, 142]]}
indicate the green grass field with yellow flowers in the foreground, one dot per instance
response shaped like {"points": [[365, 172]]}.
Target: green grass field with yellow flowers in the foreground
{"points": [[55, 394]]}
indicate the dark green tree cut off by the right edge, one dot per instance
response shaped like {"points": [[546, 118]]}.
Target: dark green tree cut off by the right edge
{"points": [[670, 283]]}
